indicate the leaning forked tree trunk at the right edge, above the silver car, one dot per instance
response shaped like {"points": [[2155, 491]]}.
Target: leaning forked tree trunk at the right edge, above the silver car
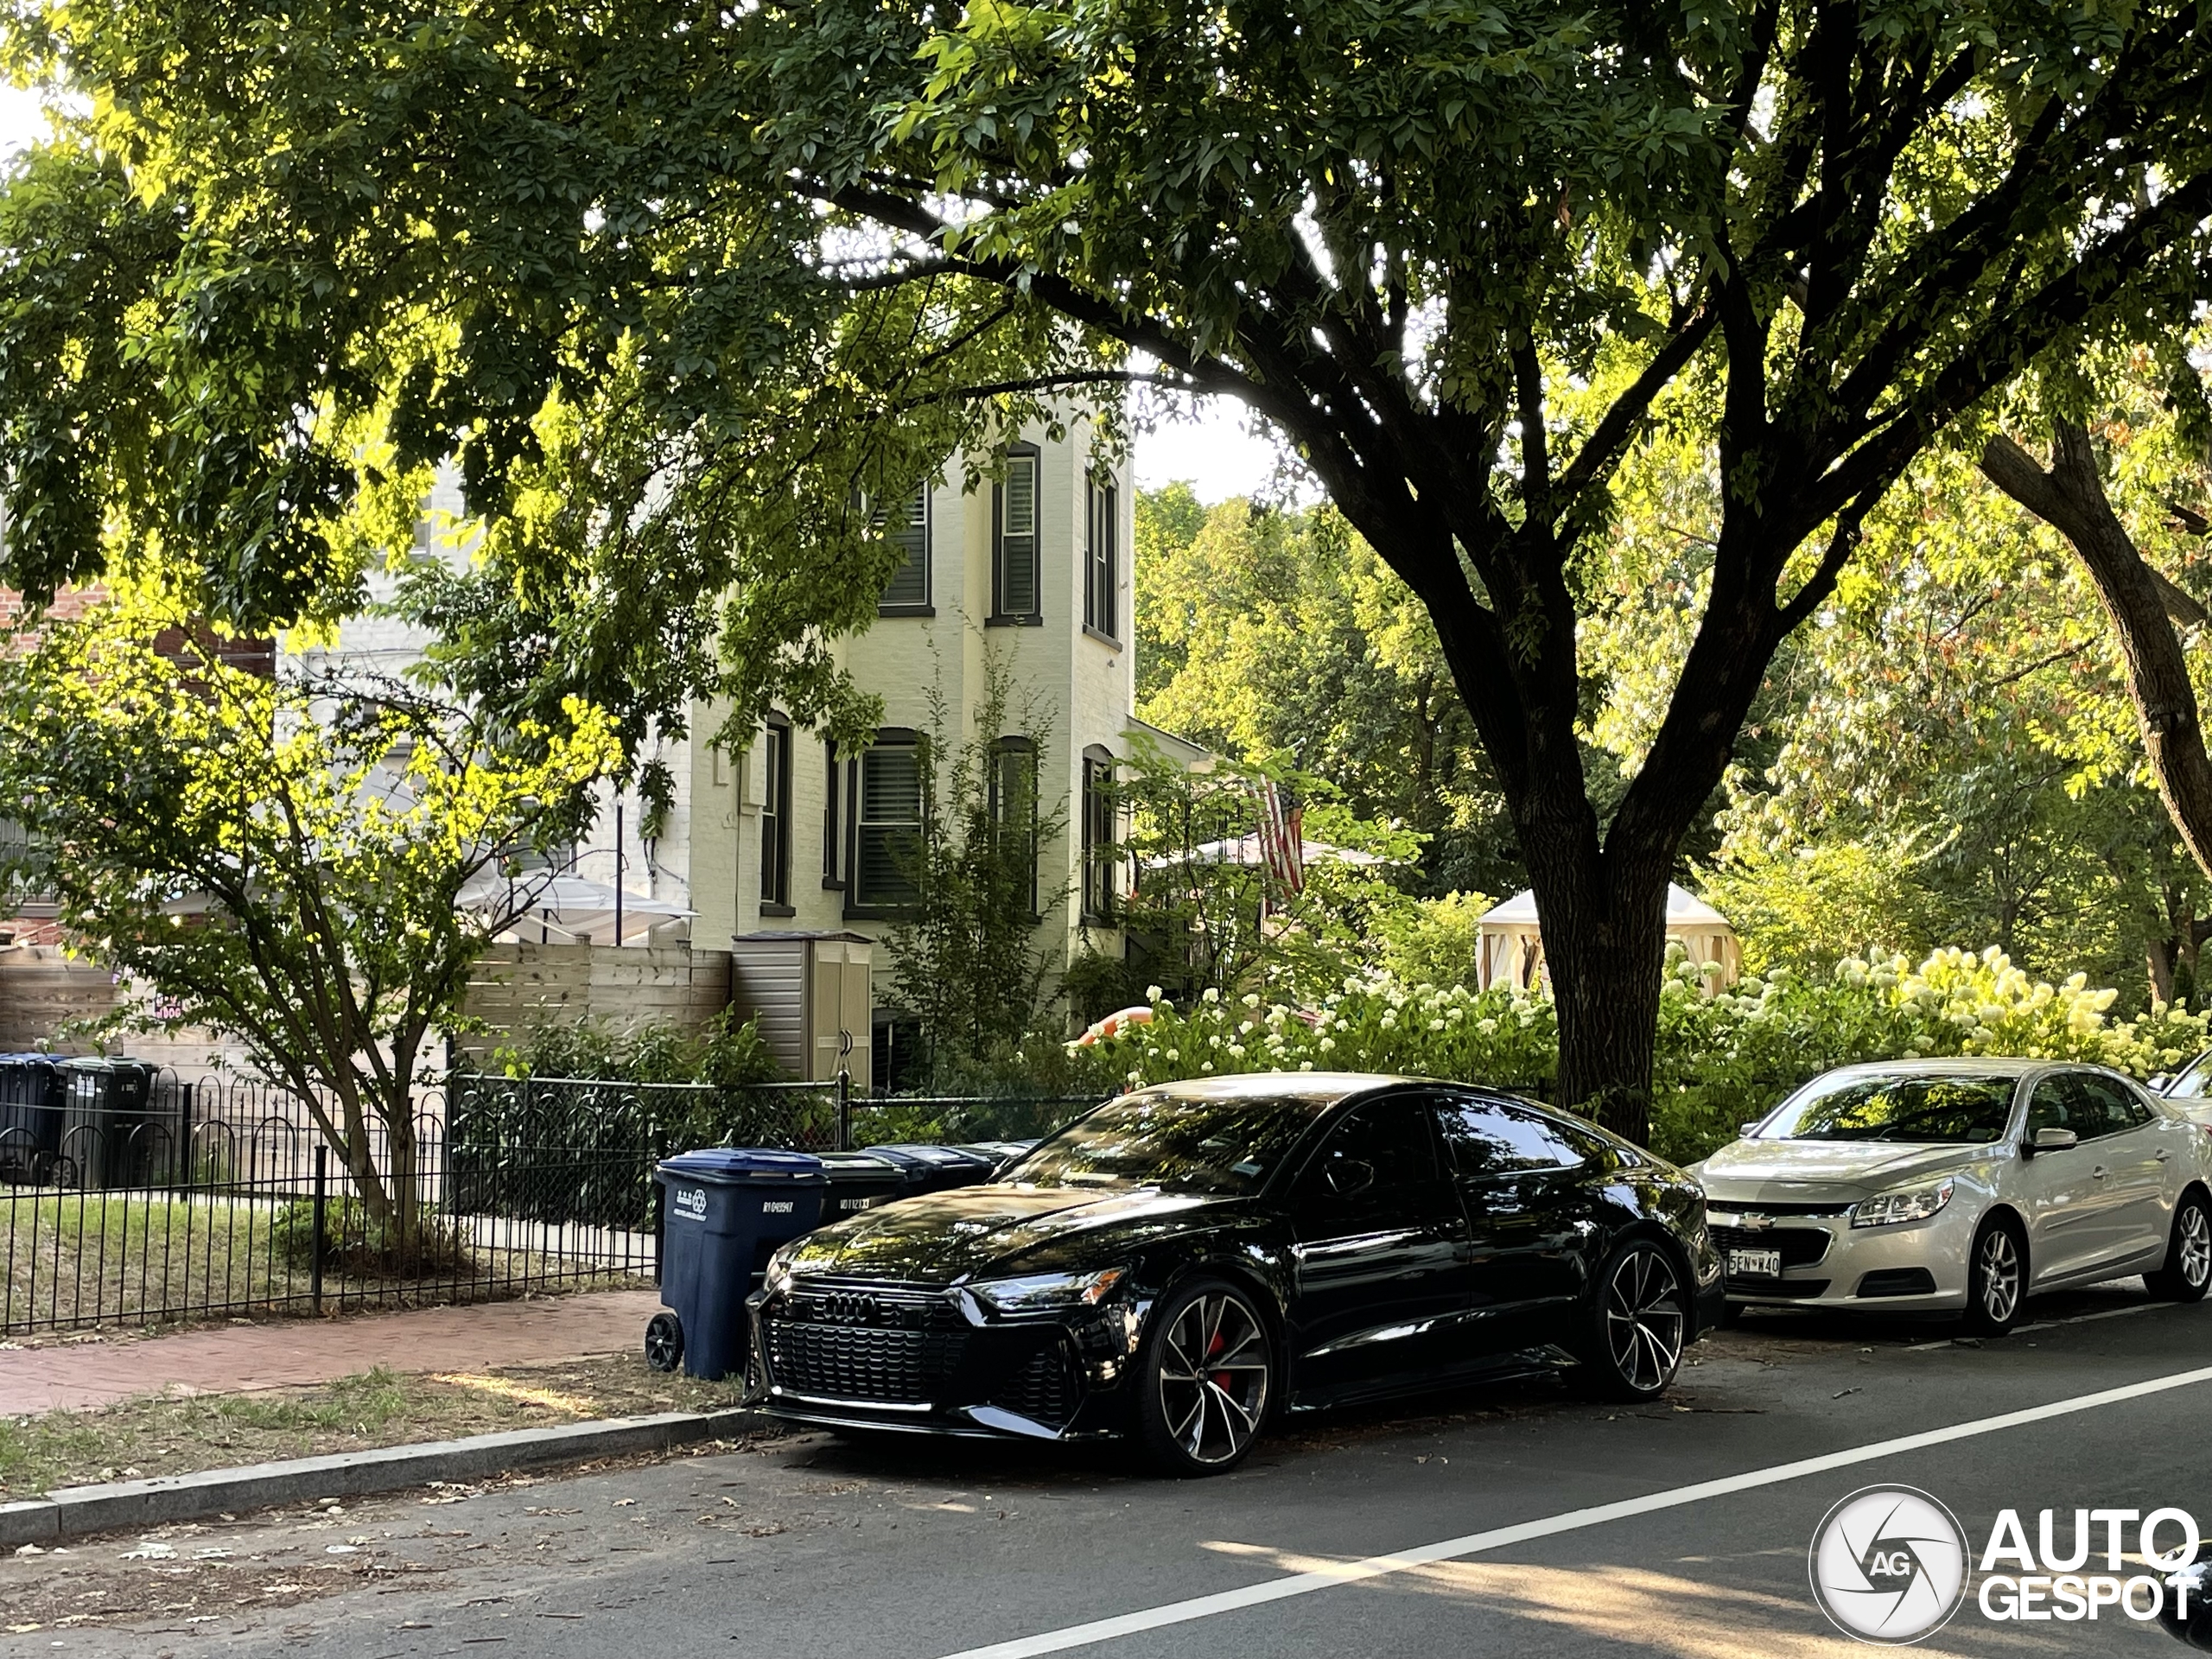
{"points": [[2140, 603]]}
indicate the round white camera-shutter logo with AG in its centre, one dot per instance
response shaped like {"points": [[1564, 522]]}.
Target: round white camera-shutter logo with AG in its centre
{"points": [[1888, 1565]]}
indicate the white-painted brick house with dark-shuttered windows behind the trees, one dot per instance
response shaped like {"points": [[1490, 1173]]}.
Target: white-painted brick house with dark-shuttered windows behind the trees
{"points": [[791, 839]]}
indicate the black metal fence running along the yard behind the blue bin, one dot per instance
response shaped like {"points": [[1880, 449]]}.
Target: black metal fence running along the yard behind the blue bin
{"points": [[140, 1198]]}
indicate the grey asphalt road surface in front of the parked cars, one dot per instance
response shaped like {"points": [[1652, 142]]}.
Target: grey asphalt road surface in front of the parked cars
{"points": [[822, 1550]]}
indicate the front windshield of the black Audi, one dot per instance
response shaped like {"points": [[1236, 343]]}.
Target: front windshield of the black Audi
{"points": [[1176, 1142]]}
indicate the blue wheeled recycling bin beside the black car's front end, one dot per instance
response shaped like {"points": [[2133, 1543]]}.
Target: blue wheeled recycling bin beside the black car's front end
{"points": [[724, 1213]]}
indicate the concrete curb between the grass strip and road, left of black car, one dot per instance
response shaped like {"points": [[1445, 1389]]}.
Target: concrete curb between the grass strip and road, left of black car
{"points": [[123, 1505]]}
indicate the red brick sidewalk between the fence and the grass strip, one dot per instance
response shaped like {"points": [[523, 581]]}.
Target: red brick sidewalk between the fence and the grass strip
{"points": [[317, 1350]]}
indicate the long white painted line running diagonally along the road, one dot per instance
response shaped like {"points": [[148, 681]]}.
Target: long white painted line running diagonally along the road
{"points": [[1251, 1596]]}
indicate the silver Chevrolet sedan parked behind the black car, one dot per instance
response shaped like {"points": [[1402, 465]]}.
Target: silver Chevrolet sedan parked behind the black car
{"points": [[1961, 1185]]}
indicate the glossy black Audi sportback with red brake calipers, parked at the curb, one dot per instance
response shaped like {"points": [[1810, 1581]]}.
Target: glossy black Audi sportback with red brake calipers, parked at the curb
{"points": [[1189, 1260]]}
